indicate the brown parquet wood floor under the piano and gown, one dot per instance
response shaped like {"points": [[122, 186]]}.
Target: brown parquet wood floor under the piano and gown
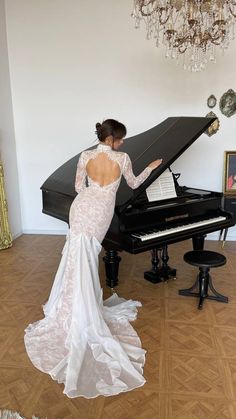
{"points": [[191, 355]]}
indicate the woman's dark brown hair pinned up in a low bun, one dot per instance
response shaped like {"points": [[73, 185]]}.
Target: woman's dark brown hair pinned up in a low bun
{"points": [[110, 127]]}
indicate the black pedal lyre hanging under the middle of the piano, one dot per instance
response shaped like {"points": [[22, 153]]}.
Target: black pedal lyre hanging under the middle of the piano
{"points": [[157, 273]]}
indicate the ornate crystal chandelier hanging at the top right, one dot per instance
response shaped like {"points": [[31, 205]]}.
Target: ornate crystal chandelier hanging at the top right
{"points": [[193, 29]]}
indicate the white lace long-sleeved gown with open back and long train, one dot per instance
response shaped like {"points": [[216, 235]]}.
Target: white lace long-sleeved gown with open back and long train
{"points": [[83, 342]]}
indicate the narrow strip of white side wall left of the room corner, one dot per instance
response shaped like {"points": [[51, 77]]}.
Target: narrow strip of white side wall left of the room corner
{"points": [[7, 136]]}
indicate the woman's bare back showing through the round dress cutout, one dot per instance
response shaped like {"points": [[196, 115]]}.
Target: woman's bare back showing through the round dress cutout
{"points": [[103, 170]]}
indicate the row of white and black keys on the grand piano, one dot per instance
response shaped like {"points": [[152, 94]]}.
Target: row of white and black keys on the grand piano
{"points": [[152, 234]]}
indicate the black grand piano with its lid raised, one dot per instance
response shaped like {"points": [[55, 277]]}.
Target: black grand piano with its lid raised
{"points": [[139, 225]]}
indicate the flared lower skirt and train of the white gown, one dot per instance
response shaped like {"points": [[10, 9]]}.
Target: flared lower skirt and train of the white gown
{"points": [[83, 342]]}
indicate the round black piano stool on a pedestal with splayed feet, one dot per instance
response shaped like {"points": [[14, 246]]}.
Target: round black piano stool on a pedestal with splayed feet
{"points": [[204, 260]]}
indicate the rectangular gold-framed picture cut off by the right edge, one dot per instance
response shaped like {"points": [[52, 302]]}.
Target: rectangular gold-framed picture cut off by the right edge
{"points": [[230, 172]]}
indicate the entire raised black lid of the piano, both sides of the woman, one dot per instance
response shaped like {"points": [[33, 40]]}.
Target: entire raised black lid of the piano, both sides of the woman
{"points": [[167, 140]]}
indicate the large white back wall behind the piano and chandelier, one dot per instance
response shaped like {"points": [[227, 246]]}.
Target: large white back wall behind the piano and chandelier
{"points": [[74, 63]]}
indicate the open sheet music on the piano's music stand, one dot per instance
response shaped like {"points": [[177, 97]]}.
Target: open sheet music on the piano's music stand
{"points": [[162, 188]]}
